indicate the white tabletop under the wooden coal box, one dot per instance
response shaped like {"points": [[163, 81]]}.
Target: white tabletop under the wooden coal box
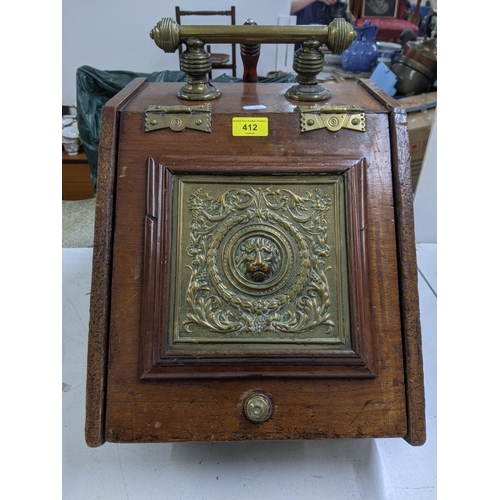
{"points": [[371, 469]]}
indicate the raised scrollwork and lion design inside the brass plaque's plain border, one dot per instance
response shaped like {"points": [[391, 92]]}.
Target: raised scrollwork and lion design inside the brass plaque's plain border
{"points": [[258, 262]]}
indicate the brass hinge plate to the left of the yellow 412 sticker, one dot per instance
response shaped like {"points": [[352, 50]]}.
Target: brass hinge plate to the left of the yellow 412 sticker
{"points": [[177, 118]]}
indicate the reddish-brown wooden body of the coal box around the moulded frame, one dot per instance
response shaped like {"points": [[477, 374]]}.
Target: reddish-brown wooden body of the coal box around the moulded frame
{"points": [[123, 408]]}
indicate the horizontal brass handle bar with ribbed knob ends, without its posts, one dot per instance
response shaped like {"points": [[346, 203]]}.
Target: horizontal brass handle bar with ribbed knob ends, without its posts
{"points": [[337, 36]]}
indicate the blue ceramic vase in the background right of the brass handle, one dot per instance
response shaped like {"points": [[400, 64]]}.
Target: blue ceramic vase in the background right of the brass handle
{"points": [[362, 55]]}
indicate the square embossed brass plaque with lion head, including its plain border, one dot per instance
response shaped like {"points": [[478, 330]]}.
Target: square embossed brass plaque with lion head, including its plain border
{"points": [[259, 262]]}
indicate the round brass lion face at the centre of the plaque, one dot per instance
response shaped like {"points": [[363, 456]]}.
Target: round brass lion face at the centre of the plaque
{"points": [[258, 258]]}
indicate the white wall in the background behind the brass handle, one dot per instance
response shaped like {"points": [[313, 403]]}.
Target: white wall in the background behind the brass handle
{"points": [[114, 35]]}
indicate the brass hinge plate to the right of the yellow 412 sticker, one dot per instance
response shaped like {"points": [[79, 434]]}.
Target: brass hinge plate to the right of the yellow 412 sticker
{"points": [[332, 117]]}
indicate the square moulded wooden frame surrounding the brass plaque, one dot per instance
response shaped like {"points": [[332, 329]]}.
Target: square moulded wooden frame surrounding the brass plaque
{"points": [[160, 360]]}
